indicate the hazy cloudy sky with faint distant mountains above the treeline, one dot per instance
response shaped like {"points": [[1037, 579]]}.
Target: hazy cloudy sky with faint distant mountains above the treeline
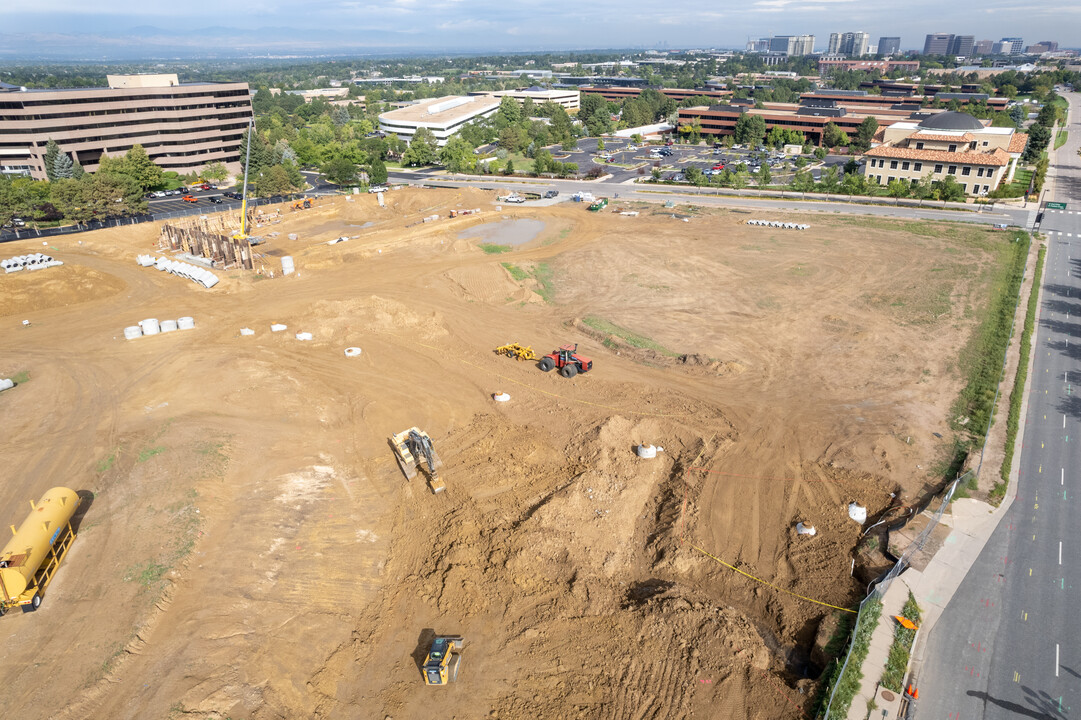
{"points": [[503, 25]]}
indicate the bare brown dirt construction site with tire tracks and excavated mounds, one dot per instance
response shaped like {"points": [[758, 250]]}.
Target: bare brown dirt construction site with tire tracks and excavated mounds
{"points": [[248, 546]]}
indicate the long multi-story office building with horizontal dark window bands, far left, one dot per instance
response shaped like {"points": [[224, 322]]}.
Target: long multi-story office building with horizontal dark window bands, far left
{"points": [[183, 126]]}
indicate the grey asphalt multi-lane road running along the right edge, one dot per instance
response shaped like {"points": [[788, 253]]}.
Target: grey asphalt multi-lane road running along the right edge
{"points": [[1009, 643]]}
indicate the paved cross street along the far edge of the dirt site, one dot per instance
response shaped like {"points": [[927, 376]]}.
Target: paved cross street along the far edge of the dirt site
{"points": [[1021, 218]]}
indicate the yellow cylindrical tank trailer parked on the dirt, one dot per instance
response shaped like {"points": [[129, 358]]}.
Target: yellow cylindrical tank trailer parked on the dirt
{"points": [[30, 561]]}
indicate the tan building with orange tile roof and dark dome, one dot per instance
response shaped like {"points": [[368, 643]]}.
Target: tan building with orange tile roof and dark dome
{"points": [[957, 144]]}
